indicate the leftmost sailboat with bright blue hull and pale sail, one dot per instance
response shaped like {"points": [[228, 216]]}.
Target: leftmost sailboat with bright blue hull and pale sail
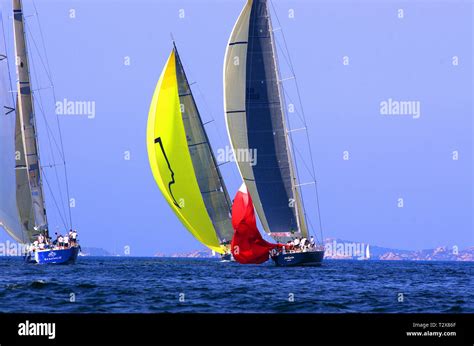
{"points": [[22, 205]]}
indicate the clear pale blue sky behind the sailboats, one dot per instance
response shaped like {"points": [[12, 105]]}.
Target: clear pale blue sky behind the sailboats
{"points": [[349, 57]]}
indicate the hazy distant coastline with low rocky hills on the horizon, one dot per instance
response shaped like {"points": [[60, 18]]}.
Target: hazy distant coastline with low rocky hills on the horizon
{"points": [[441, 253]]}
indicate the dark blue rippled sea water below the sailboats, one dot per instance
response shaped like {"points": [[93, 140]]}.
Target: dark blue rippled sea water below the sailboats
{"points": [[151, 285]]}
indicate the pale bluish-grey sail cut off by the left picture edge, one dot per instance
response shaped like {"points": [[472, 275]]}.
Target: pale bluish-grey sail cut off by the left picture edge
{"points": [[8, 206]]}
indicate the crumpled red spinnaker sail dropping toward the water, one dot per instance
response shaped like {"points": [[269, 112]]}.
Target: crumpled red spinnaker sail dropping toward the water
{"points": [[248, 246]]}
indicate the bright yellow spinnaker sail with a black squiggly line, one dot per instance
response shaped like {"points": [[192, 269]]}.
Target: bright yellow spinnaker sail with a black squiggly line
{"points": [[171, 162]]}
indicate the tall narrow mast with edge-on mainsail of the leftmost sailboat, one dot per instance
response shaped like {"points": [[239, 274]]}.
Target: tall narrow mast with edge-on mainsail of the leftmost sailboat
{"points": [[27, 119]]}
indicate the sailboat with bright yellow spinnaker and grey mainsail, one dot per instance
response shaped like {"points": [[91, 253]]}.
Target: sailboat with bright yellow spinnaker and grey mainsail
{"points": [[183, 163]]}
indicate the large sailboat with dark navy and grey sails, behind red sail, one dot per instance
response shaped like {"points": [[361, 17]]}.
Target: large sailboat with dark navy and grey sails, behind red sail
{"points": [[256, 122]]}
